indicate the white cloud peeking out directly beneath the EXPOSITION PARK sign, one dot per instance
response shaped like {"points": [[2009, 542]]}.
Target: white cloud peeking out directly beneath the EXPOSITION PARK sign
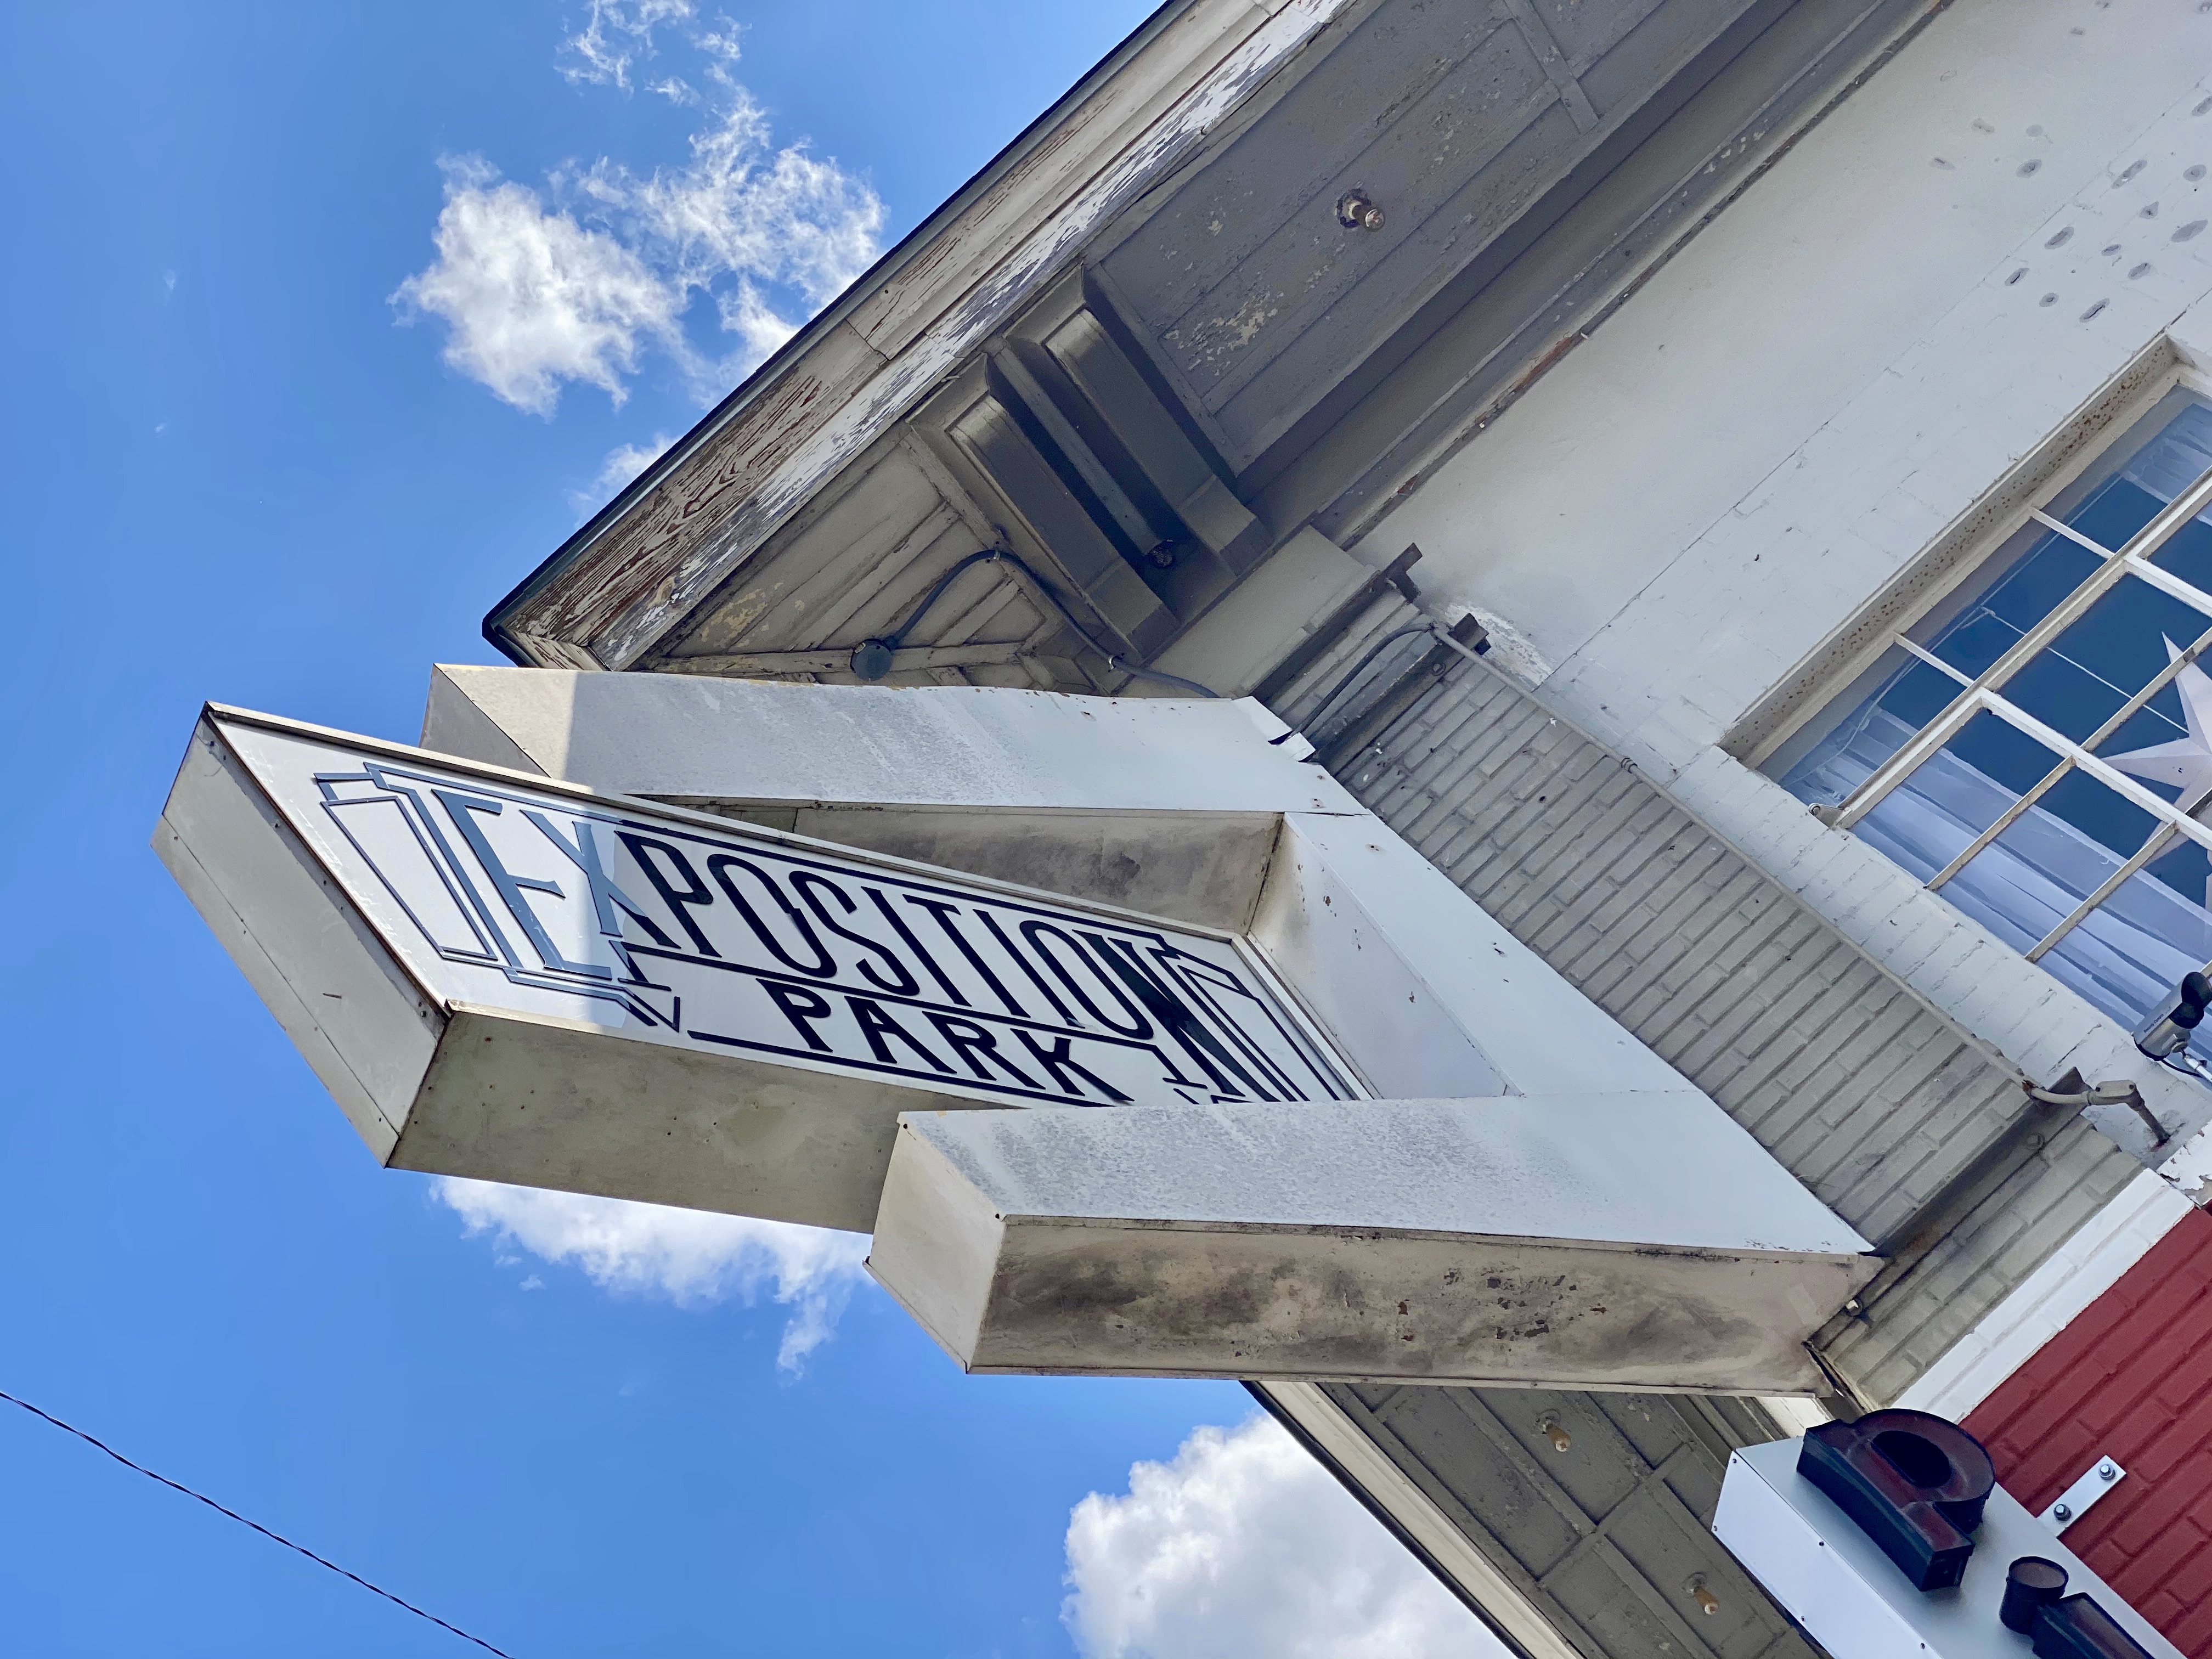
{"points": [[691, 1258]]}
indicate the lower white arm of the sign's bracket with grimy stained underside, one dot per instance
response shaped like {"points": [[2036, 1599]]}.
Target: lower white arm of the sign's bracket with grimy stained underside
{"points": [[1550, 1242]]}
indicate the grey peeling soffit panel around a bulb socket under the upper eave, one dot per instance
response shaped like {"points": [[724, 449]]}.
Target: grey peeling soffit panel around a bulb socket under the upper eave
{"points": [[1452, 118]]}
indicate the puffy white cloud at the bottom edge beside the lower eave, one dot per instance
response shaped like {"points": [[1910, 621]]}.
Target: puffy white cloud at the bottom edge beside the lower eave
{"points": [[1249, 1550]]}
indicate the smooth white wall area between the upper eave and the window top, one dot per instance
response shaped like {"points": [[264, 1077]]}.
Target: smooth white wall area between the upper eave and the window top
{"points": [[1837, 366]]}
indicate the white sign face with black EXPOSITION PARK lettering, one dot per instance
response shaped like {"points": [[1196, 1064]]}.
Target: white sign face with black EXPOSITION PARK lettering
{"points": [[738, 941]]}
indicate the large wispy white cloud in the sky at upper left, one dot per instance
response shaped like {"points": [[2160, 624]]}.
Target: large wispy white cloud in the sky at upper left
{"points": [[583, 280]]}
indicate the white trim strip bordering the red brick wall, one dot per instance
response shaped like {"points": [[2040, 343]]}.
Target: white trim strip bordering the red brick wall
{"points": [[2049, 1300]]}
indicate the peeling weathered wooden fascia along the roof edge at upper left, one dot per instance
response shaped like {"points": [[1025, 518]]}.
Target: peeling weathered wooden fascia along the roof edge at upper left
{"points": [[873, 355]]}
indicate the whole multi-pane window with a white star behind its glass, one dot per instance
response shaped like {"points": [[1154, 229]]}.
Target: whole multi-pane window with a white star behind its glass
{"points": [[2038, 747]]}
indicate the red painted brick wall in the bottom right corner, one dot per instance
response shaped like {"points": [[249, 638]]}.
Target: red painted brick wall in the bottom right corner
{"points": [[2131, 1379]]}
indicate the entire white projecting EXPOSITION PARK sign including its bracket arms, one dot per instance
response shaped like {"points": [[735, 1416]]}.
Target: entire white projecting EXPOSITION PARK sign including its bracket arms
{"points": [[1319, 1118]]}
